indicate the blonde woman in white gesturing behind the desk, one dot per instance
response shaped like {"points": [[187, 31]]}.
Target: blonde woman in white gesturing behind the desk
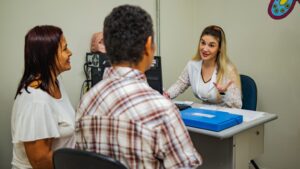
{"points": [[213, 77]]}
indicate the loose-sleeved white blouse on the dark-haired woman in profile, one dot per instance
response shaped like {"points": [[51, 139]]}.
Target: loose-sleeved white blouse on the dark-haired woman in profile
{"points": [[37, 115]]}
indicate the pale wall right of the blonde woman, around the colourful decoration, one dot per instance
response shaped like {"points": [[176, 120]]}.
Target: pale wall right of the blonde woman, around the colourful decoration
{"points": [[267, 50]]}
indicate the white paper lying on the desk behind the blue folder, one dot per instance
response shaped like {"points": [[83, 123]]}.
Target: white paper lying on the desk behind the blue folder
{"points": [[247, 114]]}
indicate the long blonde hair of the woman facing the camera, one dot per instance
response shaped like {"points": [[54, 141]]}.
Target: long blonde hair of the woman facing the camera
{"points": [[222, 57]]}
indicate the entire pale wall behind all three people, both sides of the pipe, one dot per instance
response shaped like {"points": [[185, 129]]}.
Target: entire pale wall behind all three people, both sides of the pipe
{"points": [[260, 47]]}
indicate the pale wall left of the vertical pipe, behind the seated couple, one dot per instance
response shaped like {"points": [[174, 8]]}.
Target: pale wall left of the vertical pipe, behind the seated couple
{"points": [[78, 19]]}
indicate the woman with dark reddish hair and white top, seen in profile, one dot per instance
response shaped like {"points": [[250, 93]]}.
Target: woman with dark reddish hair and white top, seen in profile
{"points": [[43, 118]]}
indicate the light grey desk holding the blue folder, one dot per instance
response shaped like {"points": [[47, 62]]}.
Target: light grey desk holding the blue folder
{"points": [[232, 148]]}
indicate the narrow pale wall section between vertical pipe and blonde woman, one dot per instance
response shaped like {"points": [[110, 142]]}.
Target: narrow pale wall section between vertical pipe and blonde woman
{"points": [[178, 44]]}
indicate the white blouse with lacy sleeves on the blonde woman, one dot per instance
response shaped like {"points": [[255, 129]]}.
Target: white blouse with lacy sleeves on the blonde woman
{"points": [[207, 92]]}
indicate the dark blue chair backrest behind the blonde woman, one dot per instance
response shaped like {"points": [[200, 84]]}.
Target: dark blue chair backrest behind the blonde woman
{"points": [[249, 93]]}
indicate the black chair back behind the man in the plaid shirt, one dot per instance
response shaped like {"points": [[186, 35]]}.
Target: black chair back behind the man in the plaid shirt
{"points": [[67, 158]]}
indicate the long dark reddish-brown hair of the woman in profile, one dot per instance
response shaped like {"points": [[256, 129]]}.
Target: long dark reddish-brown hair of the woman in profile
{"points": [[40, 55]]}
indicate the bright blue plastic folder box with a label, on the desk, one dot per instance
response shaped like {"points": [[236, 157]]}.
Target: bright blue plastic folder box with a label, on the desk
{"points": [[209, 119]]}
